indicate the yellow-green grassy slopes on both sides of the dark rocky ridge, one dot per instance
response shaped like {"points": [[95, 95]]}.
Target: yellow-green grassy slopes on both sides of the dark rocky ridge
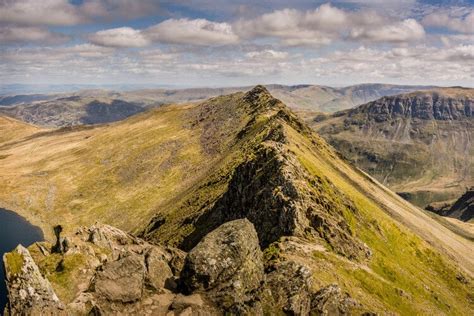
{"points": [[173, 160]]}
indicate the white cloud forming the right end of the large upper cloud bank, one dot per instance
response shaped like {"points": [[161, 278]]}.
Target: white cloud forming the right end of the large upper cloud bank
{"points": [[404, 31]]}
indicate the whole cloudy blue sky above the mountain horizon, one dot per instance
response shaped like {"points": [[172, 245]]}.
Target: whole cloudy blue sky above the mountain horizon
{"points": [[234, 43]]}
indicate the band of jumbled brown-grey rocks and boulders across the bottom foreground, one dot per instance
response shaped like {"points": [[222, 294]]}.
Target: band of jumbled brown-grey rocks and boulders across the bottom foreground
{"points": [[107, 272]]}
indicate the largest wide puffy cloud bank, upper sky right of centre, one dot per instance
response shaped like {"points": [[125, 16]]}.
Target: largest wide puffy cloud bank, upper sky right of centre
{"points": [[326, 23]]}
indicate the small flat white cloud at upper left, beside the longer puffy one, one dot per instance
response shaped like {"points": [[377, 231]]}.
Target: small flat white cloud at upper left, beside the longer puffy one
{"points": [[119, 37]]}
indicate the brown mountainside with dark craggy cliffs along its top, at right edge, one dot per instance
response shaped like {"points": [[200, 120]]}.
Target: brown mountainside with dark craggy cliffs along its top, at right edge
{"points": [[418, 144]]}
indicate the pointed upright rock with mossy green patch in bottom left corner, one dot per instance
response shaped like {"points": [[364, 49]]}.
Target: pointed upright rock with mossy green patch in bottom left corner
{"points": [[29, 293]]}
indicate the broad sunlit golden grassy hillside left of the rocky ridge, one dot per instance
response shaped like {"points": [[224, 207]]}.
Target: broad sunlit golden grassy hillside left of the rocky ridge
{"points": [[119, 173]]}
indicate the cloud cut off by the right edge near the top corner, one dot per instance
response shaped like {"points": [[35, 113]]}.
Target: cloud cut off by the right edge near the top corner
{"points": [[462, 24]]}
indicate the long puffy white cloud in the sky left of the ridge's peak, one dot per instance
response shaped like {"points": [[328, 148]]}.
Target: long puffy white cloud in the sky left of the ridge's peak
{"points": [[197, 32]]}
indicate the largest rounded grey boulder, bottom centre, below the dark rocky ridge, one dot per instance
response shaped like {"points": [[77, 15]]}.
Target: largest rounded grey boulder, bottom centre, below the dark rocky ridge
{"points": [[227, 264]]}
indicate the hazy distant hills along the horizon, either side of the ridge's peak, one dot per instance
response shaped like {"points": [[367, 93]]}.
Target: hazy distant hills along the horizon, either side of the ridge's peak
{"points": [[100, 106]]}
